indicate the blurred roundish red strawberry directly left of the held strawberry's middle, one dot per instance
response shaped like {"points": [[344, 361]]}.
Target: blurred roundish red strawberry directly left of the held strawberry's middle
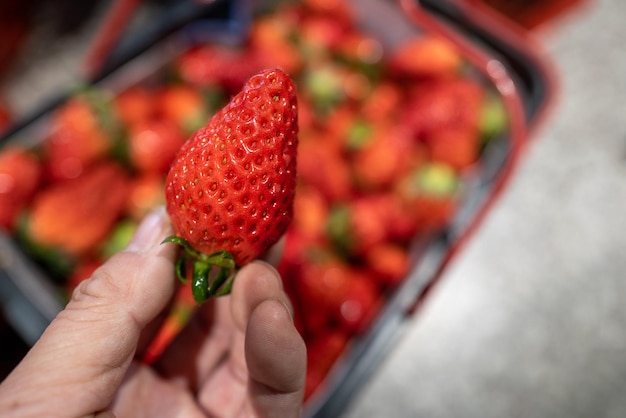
{"points": [[153, 144]]}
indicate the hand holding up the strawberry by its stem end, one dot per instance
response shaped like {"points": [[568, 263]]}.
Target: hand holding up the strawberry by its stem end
{"points": [[240, 356]]}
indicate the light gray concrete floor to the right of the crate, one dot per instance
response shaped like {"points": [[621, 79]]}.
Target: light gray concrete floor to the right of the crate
{"points": [[530, 320]]}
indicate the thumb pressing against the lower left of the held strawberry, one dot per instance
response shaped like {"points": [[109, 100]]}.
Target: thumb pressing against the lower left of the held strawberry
{"points": [[80, 360]]}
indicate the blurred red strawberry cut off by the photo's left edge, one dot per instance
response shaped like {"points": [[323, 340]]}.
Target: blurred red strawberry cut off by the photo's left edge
{"points": [[19, 178]]}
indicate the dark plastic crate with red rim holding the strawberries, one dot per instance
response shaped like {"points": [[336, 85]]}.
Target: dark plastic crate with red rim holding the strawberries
{"points": [[499, 55]]}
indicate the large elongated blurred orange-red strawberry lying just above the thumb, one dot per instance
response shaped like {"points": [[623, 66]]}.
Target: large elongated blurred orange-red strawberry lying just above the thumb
{"points": [[74, 216]]}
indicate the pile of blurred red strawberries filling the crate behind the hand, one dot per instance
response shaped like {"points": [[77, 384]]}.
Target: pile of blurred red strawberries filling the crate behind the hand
{"points": [[386, 139]]}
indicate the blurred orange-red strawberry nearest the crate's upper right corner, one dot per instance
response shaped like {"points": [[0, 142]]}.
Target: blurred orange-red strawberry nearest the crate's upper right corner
{"points": [[426, 56]]}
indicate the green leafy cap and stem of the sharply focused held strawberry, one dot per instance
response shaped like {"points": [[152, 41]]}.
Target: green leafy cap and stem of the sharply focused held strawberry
{"points": [[212, 275]]}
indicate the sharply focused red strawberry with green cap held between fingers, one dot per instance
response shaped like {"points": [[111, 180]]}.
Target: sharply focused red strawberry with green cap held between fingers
{"points": [[230, 190]]}
